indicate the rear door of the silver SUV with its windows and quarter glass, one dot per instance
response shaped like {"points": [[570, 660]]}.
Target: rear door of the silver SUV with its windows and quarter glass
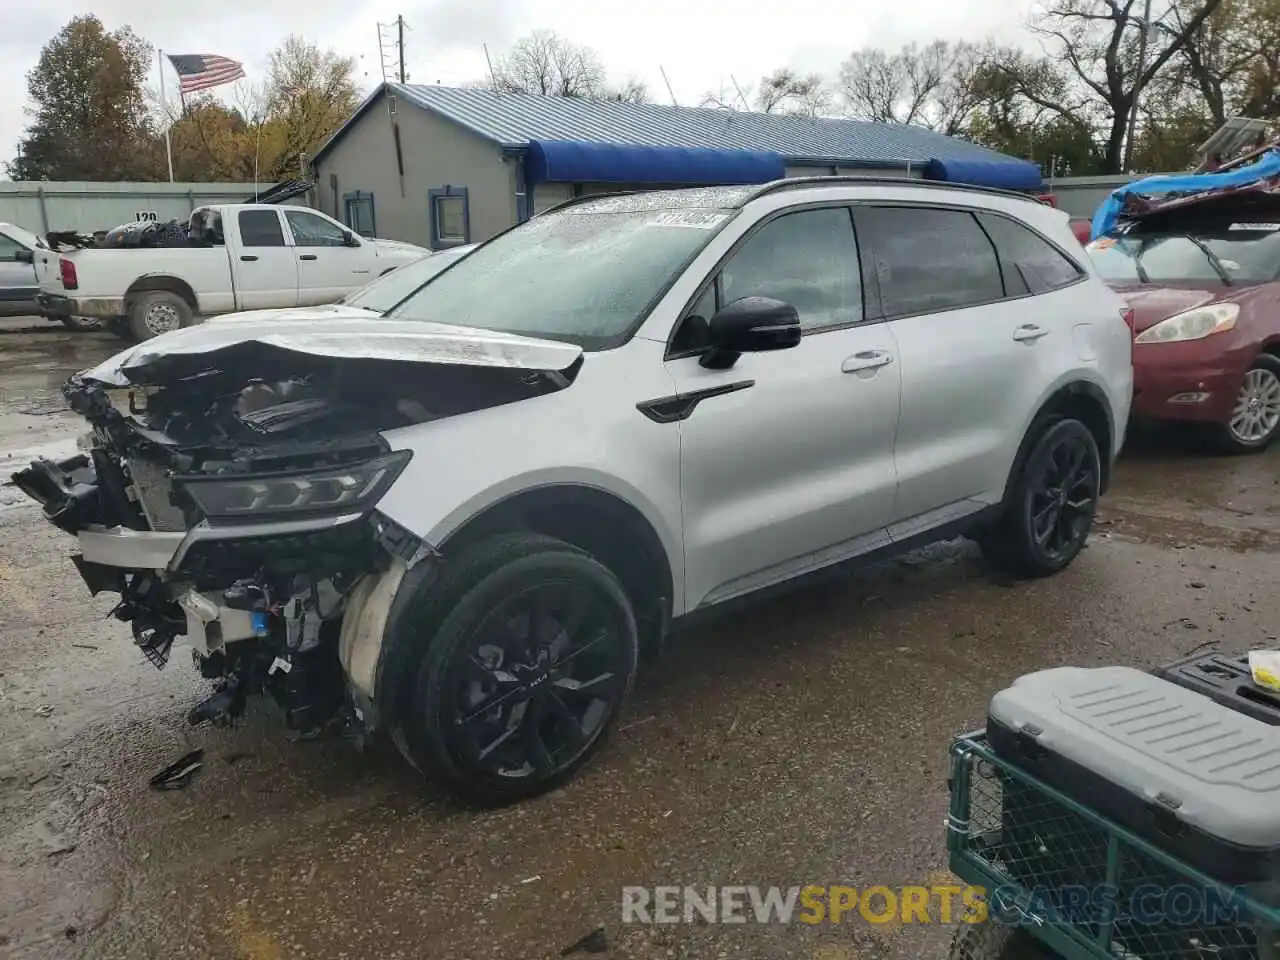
{"points": [[977, 348]]}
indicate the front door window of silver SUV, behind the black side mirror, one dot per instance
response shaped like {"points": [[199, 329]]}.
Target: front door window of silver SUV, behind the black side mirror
{"points": [[808, 259]]}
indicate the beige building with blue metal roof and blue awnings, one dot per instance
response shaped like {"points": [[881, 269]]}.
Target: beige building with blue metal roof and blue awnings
{"points": [[442, 166]]}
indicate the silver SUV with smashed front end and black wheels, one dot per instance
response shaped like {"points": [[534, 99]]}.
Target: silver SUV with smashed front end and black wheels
{"points": [[461, 520]]}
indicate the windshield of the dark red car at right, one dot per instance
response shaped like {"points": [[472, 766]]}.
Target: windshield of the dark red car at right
{"points": [[1235, 254]]}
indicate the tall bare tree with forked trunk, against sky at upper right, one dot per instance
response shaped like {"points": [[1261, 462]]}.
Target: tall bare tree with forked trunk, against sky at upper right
{"points": [[1100, 45]]}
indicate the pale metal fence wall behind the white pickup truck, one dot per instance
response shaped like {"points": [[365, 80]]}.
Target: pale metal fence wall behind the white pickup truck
{"points": [[85, 207]]}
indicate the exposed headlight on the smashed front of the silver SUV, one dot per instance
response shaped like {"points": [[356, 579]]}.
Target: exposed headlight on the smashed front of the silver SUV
{"points": [[349, 488]]}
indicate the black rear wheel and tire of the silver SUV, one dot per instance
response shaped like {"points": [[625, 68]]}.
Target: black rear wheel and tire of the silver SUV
{"points": [[1052, 506]]}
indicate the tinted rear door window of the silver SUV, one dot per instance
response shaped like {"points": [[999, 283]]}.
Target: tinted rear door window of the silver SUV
{"points": [[929, 260]]}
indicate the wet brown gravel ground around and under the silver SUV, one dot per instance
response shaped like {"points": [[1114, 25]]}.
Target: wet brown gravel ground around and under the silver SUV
{"points": [[802, 742]]}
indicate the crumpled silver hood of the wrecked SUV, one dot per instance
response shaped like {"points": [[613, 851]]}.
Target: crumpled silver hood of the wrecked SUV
{"points": [[339, 336]]}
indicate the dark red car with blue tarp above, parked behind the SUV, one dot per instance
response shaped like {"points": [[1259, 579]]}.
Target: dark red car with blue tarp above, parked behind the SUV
{"points": [[1205, 292]]}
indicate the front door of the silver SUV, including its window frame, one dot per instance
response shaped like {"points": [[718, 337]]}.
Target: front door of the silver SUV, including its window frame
{"points": [[788, 456]]}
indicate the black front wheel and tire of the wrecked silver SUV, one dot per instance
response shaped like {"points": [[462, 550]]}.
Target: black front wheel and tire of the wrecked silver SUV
{"points": [[528, 651]]}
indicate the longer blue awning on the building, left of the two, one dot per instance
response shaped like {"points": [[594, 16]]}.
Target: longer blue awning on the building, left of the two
{"points": [[575, 162]]}
